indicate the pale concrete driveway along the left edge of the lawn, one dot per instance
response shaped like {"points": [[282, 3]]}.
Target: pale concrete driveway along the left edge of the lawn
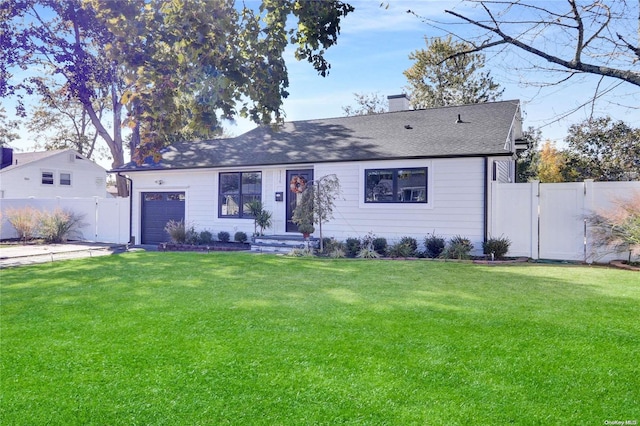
{"points": [[28, 254]]}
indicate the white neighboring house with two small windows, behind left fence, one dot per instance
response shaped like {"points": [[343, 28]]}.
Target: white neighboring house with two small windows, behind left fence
{"points": [[49, 174]]}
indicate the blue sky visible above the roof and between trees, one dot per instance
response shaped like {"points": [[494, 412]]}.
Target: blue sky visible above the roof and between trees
{"points": [[373, 51]]}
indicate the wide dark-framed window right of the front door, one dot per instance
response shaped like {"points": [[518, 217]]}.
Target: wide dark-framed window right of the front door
{"points": [[396, 185]]}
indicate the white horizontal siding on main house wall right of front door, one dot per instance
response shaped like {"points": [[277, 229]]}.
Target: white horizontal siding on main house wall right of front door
{"points": [[455, 202]]}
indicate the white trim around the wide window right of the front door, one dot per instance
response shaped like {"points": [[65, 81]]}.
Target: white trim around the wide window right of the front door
{"points": [[396, 164]]}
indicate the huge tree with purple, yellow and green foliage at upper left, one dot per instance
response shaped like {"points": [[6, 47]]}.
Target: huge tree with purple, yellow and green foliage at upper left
{"points": [[167, 68]]}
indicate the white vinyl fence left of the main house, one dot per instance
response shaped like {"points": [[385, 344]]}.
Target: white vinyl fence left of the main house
{"points": [[104, 220]]}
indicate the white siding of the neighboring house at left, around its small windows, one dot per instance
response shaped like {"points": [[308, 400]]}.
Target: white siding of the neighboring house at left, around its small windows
{"points": [[25, 181]]}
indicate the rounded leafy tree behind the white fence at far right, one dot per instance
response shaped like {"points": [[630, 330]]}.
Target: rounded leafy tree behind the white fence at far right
{"points": [[604, 150]]}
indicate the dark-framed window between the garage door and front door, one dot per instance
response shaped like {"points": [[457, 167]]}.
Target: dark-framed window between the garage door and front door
{"points": [[236, 190]]}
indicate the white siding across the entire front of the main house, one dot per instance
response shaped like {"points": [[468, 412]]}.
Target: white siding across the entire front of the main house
{"points": [[455, 200]]}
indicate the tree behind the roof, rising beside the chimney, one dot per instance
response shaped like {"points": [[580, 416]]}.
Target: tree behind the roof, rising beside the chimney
{"points": [[439, 77]]}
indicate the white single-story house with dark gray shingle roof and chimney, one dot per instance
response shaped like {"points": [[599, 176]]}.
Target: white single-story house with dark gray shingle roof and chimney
{"points": [[402, 173]]}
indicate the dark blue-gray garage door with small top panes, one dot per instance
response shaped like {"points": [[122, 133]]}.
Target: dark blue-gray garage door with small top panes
{"points": [[158, 208]]}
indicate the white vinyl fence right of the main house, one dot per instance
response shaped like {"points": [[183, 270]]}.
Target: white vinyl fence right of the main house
{"points": [[548, 220]]}
